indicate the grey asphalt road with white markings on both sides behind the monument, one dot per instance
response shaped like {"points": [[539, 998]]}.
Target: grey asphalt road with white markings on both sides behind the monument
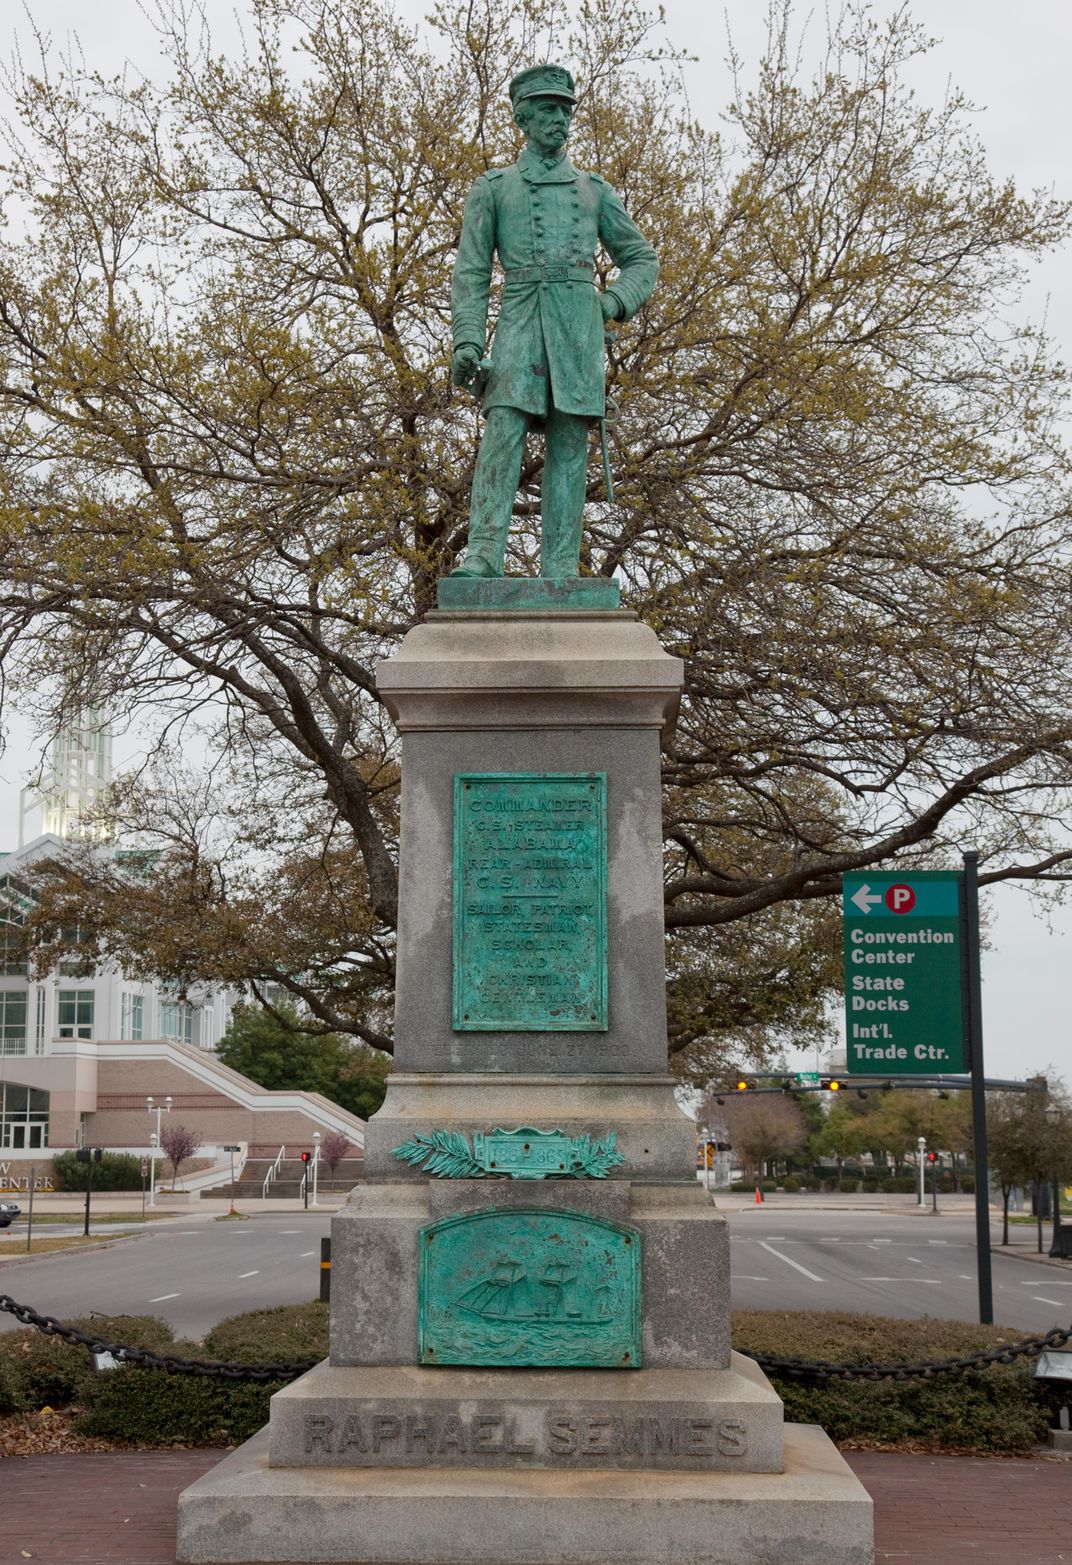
{"points": [[198, 1272]]}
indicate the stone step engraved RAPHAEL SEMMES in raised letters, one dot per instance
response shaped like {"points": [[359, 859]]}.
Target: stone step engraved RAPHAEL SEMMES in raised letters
{"points": [[569, 1420]]}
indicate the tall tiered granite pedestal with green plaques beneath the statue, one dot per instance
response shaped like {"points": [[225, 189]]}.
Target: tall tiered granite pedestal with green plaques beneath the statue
{"points": [[386, 1456]]}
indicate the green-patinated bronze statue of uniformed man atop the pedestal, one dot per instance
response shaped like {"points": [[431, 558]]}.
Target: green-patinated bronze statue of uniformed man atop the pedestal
{"points": [[544, 220]]}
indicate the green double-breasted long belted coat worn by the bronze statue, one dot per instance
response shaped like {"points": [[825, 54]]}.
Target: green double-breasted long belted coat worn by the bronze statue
{"points": [[549, 342]]}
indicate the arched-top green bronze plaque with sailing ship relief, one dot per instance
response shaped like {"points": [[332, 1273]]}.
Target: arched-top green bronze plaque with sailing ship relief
{"points": [[530, 1289]]}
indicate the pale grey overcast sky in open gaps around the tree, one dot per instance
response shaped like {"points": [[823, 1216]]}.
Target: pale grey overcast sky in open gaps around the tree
{"points": [[1013, 62]]}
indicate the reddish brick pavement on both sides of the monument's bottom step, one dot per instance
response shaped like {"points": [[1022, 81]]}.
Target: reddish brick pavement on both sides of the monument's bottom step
{"points": [[120, 1508]]}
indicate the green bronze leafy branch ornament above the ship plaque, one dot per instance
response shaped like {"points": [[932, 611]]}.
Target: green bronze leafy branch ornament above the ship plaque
{"points": [[513, 1154]]}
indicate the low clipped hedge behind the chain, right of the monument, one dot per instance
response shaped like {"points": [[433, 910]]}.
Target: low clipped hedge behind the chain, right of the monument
{"points": [[998, 1409]]}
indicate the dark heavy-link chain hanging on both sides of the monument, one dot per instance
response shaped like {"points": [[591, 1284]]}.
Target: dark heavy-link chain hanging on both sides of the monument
{"points": [[790, 1369]]}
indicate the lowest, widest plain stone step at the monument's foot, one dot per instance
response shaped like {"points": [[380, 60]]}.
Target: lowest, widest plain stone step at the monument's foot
{"points": [[248, 1514]]}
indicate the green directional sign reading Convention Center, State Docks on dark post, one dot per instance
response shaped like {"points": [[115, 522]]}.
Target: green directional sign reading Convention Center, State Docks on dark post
{"points": [[904, 1006]]}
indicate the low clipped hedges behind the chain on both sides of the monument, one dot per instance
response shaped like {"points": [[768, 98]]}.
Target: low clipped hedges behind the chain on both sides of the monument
{"points": [[1001, 1409]]}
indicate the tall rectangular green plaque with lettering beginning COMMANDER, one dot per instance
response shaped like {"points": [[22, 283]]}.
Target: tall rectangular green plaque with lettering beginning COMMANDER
{"points": [[531, 902]]}
